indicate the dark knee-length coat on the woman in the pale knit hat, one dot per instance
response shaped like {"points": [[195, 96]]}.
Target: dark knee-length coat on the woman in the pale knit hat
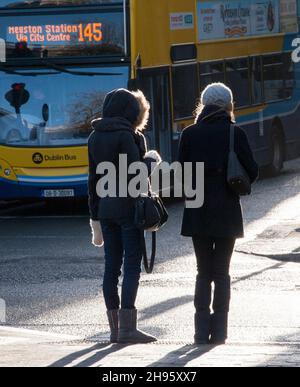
{"points": [[208, 141]]}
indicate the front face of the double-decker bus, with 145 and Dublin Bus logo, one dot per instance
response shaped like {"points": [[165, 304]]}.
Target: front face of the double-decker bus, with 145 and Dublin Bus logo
{"points": [[62, 57]]}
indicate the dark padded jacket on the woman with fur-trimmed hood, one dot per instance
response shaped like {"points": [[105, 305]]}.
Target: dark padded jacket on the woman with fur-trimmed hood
{"points": [[110, 138]]}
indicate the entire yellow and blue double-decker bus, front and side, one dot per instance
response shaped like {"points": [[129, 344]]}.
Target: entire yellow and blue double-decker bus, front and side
{"points": [[63, 56]]}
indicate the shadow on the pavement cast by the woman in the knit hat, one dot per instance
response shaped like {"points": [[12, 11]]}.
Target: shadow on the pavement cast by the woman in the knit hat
{"points": [[182, 356]]}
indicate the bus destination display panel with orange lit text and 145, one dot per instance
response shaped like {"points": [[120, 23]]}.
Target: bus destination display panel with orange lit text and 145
{"points": [[63, 35]]}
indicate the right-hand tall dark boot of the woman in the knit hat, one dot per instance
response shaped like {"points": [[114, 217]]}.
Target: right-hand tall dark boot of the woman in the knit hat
{"points": [[219, 320]]}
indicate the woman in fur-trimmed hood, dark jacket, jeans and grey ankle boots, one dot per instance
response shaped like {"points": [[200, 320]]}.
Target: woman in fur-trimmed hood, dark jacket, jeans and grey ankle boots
{"points": [[118, 132]]}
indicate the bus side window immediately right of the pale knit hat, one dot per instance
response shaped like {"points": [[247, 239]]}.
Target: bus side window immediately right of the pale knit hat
{"points": [[237, 78]]}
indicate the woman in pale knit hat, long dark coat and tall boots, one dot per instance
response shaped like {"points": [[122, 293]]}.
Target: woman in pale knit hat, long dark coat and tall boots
{"points": [[219, 222]]}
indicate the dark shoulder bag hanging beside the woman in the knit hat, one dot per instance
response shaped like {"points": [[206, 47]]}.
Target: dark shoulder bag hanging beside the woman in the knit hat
{"points": [[237, 176]]}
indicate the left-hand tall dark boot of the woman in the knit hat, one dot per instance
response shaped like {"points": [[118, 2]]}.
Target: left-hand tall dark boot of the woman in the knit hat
{"points": [[202, 305]]}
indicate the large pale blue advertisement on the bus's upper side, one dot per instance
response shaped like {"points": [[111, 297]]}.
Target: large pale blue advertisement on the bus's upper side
{"points": [[235, 19]]}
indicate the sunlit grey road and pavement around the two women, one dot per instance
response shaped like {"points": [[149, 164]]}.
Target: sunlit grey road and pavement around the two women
{"points": [[50, 278]]}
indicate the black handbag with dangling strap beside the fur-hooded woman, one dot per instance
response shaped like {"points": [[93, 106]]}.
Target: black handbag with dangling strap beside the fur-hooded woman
{"points": [[150, 216]]}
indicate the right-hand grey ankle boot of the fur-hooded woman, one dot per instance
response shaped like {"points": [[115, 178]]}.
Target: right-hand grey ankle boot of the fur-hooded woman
{"points": [[128, 332]]}
